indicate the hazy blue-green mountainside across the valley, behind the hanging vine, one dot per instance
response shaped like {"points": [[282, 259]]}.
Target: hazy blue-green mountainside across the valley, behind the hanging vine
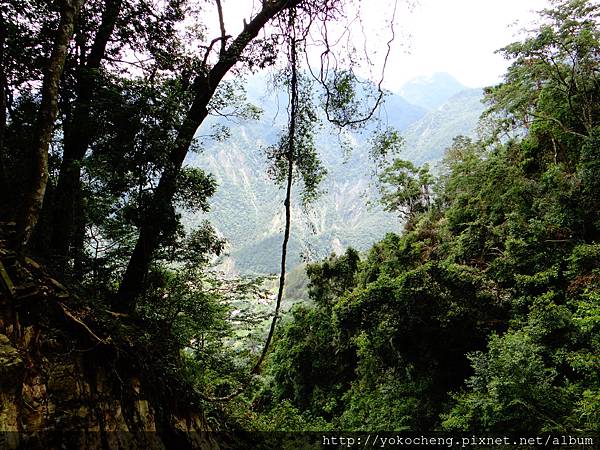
{"points": [[247, 208]]}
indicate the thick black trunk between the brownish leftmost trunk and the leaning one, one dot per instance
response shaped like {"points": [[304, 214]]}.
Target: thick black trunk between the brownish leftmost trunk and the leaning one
{"points": [[78, 134]]}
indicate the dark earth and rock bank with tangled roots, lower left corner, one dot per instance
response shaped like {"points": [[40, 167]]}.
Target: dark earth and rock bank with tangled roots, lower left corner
{"points": [[63, 386]]}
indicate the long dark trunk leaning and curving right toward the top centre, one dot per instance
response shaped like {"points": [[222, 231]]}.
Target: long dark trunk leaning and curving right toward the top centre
{"points": [[149, 239]]}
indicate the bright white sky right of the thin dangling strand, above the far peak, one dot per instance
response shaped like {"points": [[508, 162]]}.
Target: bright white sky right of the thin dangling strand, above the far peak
{"points": [[458, 37]]}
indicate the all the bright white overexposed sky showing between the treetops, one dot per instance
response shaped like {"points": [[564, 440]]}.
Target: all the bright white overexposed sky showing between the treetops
{"points": [[459, 37]]}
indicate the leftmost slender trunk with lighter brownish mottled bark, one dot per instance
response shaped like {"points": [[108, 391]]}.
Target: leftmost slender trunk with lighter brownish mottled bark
{"points": [[34, 199]]}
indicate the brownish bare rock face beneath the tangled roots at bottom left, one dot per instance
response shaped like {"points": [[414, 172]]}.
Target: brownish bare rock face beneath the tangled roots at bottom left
{"points": [[56, 399]]}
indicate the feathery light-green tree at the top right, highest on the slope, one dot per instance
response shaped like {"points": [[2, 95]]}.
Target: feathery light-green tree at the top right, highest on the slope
{"points": [[552, 83]]}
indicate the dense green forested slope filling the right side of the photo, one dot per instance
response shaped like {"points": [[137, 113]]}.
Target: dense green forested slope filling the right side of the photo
{"points": [[484, 315]]}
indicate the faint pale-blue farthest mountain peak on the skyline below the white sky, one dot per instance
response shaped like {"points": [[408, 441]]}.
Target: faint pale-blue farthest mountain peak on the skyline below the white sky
{"points": [[430, 92]]}
